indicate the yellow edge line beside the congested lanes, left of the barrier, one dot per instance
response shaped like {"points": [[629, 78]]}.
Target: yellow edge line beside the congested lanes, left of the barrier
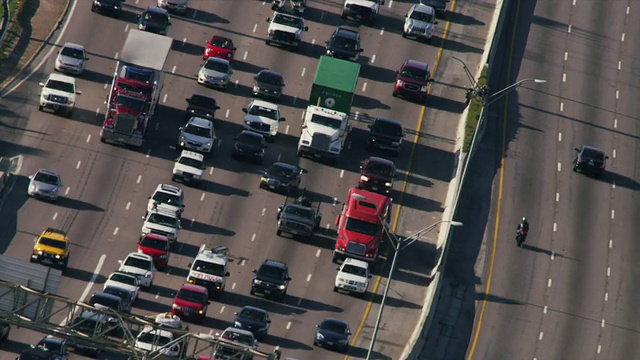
{"points": [[396, 218]]}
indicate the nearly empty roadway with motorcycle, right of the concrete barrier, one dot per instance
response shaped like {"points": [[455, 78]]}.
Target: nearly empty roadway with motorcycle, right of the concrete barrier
{"points": [[570, 292]]}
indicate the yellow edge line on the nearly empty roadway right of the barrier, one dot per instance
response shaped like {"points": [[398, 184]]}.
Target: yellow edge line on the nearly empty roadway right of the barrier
{"points": [[500, 188]]}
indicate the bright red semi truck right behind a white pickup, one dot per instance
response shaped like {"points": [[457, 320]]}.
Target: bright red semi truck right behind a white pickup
{"points": [[360, 228]]}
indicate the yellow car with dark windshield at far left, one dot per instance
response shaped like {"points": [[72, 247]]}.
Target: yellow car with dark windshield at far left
{"points": [[51, 248]]}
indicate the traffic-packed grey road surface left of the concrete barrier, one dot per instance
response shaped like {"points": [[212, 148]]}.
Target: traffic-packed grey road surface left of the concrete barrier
{"points": [[106, 187]]}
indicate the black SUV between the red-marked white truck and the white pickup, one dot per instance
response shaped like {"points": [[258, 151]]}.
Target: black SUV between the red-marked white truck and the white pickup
{"points": [[271, 279]]}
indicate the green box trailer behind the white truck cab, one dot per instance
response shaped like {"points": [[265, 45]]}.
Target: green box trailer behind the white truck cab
{"points": [[334, 84]]}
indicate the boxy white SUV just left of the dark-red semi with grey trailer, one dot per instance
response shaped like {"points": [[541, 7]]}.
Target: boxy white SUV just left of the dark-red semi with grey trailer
{"points": [[59, 93]]}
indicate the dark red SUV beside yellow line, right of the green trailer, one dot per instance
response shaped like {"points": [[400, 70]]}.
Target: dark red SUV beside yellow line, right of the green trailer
{"points": [[413, 80]]}
